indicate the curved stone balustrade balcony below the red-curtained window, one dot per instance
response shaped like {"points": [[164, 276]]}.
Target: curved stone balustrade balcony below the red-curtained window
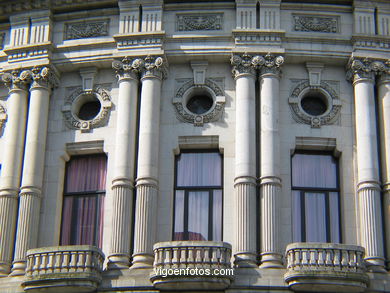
{"points": [[75, 268]]}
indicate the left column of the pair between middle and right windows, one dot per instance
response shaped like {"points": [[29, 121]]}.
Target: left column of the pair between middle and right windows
{"points": [[244, 73]]}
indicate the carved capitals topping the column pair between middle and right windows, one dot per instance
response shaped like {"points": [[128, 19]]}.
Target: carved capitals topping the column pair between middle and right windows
{"points": [[247, 64]]}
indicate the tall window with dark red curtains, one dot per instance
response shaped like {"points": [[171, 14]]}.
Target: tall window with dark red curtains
{"points": [[82, 215]]}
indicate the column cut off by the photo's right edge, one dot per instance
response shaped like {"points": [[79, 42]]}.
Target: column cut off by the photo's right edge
{"points": [[384, 122]]}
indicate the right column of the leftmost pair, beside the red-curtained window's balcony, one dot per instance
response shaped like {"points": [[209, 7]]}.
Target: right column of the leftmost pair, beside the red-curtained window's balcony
{"points": [[33, 166]]}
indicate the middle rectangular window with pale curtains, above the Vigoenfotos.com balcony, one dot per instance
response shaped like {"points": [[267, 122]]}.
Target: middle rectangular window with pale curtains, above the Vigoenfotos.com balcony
{"points": [[198, 196]]}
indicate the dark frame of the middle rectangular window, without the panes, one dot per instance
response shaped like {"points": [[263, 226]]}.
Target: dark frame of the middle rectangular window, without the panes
{"points": [[188, 189]]}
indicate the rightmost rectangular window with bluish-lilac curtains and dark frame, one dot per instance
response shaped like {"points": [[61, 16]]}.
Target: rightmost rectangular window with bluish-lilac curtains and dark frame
{"points": [[315, 192]]}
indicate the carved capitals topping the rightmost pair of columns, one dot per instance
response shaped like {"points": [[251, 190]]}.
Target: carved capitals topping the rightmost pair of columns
{"points": [[359, 69]]}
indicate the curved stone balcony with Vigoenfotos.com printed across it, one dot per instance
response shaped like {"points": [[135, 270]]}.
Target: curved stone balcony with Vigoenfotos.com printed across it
{"points": [[195, 265]]}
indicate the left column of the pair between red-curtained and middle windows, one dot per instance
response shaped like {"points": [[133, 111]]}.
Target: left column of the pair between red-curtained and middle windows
{"points": [[123, 182]]}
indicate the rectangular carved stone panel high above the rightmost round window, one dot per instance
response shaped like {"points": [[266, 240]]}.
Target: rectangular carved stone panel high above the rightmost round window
{"points": [[306, 23]]}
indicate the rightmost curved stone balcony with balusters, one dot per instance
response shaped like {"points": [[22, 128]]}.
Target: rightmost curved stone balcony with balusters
{"points": [[325, 267]]}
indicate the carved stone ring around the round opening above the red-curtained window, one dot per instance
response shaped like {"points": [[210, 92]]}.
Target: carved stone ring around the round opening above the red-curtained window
{"points": [[71, 119]]}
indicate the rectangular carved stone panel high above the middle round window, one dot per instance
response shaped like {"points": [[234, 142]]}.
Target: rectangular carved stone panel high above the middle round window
{"points": [[199, 22]]}
